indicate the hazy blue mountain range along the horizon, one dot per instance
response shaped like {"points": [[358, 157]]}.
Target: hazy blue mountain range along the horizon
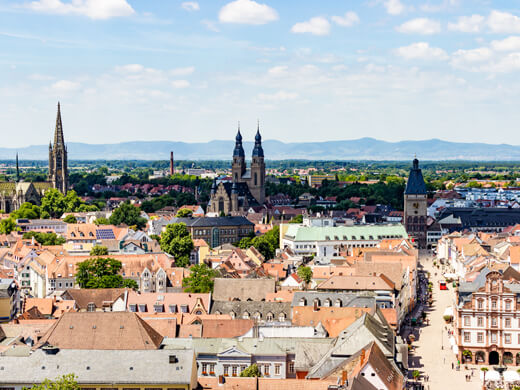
{"points": [[359, 149]]}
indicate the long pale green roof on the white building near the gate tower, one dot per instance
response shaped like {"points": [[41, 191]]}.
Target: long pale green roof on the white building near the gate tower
{"points": [[345, 233]]}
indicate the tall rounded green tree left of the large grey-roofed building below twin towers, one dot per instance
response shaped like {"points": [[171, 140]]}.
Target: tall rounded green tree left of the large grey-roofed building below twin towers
{"points": [[176, 241]]}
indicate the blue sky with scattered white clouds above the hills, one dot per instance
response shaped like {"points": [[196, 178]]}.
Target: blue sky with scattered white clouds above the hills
{"points": [[174, 70]]}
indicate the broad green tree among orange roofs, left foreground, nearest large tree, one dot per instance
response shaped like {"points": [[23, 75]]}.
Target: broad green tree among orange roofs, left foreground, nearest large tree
{"points": [[102, 273]]}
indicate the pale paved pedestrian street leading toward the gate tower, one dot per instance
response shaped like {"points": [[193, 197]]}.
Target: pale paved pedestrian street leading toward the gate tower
{"points": [[432, 354]]}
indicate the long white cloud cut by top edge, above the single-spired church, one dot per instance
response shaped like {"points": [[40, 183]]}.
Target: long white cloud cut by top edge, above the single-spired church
{"points": [[94, 9]]}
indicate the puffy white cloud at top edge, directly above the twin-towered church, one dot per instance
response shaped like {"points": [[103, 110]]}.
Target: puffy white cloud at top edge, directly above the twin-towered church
{"points": [[247, 12]]}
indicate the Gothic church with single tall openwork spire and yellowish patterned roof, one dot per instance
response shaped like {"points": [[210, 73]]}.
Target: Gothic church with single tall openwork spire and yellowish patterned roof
{"points": [[13, 194]]}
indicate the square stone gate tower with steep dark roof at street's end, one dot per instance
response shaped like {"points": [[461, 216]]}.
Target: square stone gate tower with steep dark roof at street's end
{"points": [[415, 205]]}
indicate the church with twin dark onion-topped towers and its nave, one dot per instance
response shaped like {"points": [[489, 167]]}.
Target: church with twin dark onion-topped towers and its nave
{"points": [[246, 187]]}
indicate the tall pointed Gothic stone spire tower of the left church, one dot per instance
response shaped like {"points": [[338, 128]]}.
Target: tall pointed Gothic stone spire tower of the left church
{"points": [[58, 172]]}
